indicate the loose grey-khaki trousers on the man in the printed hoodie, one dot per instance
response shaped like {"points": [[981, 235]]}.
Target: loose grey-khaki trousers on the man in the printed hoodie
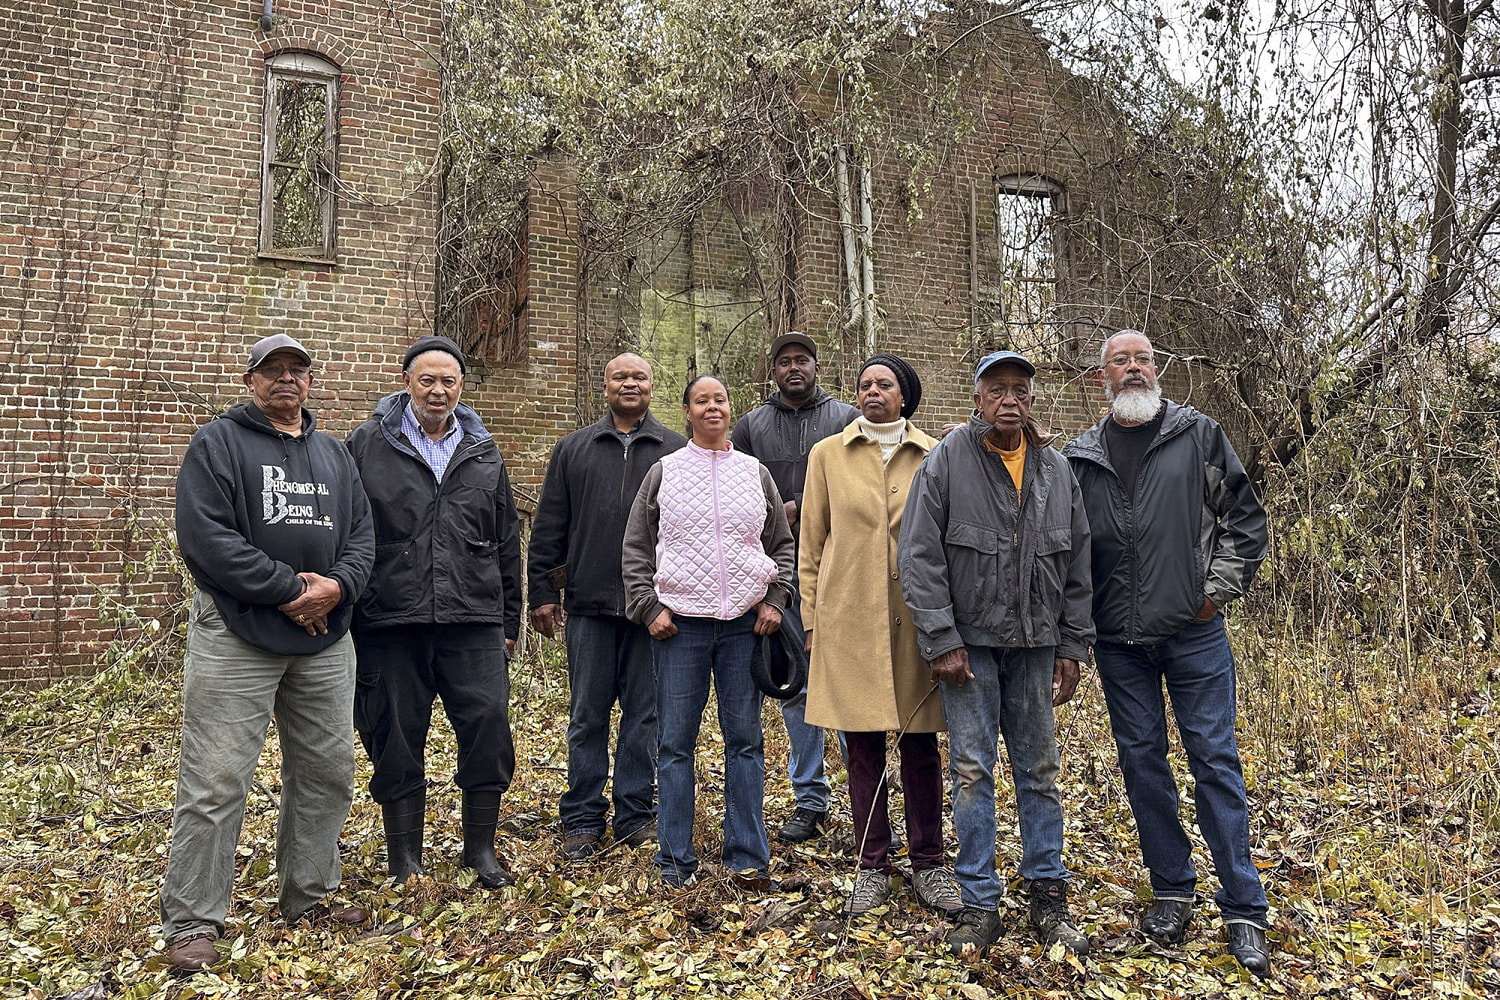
{"points": [[232, 690]]}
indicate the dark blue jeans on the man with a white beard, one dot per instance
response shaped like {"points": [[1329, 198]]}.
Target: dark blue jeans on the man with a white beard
{"points": [[1199, 672]]}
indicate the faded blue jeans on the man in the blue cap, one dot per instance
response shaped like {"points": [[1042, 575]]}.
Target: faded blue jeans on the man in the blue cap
{"points": [[1010, 695]]}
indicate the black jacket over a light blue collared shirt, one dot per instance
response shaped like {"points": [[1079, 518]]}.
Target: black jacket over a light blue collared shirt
{"points": [[445, 554]]}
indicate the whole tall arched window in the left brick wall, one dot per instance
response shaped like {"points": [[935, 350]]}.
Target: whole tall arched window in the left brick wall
{"points": [[299, 170]]}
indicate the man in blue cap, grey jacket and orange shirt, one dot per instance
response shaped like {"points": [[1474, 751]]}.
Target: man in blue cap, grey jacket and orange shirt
{"points": [[995, 566]]}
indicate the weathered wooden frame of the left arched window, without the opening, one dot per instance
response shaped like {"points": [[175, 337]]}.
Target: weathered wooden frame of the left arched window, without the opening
{"points": [[304, 68]]}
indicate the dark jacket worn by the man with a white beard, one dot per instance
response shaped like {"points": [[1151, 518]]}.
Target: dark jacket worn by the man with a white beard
{"points": [[1193, 530]]}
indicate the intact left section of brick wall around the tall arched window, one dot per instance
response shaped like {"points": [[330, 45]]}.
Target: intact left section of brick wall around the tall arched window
{"points": [[131, 286]]}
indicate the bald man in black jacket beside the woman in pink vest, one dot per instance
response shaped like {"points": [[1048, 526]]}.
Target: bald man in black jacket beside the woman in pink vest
{"points": [[575, 585]]}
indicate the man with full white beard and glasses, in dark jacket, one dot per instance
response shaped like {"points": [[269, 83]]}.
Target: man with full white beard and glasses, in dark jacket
{"points": [[1178, 534]]}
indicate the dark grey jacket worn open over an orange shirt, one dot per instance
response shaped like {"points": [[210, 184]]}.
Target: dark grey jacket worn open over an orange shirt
{"points": [[985, 567]]}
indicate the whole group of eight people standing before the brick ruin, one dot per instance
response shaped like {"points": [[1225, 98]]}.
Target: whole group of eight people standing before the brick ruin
{"points": [[937, 585]]}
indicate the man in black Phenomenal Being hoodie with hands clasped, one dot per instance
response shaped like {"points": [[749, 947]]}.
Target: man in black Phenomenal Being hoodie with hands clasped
{"points": [[274, 525]]}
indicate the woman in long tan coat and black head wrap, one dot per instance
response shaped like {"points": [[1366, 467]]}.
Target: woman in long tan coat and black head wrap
{"points": [[866, 677]]}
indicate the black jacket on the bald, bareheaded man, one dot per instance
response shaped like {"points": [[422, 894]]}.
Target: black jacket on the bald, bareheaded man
{"points": [[593, 479]]}
